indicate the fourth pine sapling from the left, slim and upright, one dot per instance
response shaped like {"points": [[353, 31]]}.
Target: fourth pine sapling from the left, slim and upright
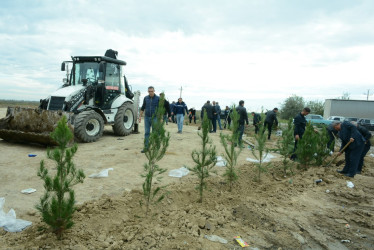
{"points": [[231, 153]]}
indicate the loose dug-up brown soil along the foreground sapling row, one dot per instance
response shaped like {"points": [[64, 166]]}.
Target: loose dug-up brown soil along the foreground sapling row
{"points": [[289, 212]]}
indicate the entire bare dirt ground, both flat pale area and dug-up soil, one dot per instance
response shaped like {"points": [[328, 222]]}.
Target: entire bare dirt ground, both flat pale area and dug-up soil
{"points": [[287, 212]]}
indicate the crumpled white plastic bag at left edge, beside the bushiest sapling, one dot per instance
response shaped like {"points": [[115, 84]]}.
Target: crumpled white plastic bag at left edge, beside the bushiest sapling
{"points": [[8, 220]]}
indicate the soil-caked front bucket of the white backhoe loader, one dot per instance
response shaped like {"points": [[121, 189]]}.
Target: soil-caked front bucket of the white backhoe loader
{"points": [[29, 125]]}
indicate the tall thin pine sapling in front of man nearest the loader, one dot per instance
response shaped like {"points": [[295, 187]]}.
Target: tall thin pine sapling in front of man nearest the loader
{"points": [[157, 146]]}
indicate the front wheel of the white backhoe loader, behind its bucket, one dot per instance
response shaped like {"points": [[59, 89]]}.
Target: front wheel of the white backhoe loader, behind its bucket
{"points": [[88, 126]]}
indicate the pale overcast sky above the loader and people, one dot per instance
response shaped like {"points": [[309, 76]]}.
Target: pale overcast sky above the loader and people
{"points": [[259, 51]]}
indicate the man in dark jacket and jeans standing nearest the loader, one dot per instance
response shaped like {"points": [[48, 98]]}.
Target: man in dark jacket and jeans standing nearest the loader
{"points": [[150, 104]]}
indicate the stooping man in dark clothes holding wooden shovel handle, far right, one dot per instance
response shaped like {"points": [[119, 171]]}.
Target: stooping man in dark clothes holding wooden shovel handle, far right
{"points": [[349, 133]]}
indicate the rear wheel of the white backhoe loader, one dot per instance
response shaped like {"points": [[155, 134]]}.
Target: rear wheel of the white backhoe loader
{"points": [[124, 119]]}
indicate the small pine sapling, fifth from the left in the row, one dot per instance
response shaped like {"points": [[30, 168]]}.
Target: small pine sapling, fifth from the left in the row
{"points": [[262, 151]]}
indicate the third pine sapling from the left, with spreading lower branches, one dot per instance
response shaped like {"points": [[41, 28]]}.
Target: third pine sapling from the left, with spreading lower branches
{"points": [[205, 159]]}
